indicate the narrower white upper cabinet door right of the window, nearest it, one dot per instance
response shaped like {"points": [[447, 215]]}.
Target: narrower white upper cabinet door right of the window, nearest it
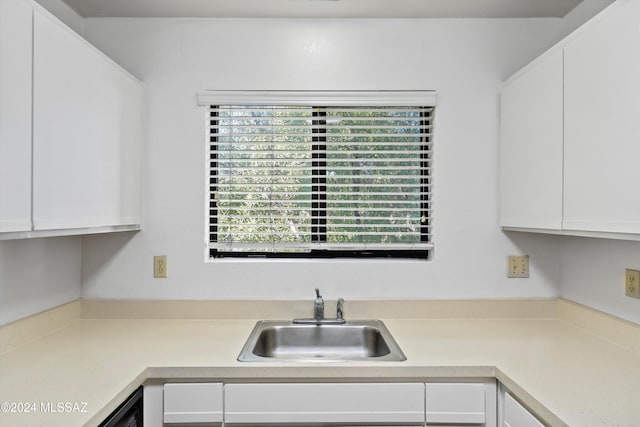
{"points": [[531, 146]]}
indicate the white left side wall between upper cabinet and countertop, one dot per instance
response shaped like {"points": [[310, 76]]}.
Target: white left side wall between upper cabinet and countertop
{"points": [[38, 274]]}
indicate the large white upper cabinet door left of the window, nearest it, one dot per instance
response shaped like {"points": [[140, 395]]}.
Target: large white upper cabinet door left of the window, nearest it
{"points": [[86, 133]]}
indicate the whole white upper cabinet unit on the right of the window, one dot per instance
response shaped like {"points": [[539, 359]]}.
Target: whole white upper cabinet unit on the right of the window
{"points": [[570, 143]]}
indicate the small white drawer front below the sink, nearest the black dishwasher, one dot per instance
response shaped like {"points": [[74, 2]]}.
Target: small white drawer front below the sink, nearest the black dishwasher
{"points": [[193, 403]]}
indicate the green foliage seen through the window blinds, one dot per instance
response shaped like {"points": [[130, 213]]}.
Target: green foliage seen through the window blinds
{"points": [[355, 175]]}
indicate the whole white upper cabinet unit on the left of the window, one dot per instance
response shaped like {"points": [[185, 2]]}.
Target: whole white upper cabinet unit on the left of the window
{"points": [[70, 138]]}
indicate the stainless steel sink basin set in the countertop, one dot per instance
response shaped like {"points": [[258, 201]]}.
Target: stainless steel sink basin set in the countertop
{"points": [[366, 340]]}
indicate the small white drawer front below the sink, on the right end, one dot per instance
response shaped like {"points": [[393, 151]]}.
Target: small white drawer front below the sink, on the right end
{"points": [[455, 403]]}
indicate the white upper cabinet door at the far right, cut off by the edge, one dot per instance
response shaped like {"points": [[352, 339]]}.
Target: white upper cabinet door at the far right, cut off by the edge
{"points": [[602, 111]]}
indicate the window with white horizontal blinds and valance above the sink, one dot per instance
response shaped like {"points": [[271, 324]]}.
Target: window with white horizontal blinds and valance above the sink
{"points": [[319, 174]]}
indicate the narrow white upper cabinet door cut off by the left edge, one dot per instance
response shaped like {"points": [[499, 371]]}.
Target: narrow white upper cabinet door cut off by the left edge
{"points": [[15, 116]]}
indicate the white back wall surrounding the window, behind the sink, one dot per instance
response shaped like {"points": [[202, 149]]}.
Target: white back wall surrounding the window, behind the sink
{"points": [[464, 60]]}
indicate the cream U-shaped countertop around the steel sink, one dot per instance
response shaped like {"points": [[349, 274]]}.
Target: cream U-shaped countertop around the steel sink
{"points": [[565, 374]]}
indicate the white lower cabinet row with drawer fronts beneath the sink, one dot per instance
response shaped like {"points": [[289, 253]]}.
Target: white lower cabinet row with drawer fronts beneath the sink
{"points": [[442, 404]]}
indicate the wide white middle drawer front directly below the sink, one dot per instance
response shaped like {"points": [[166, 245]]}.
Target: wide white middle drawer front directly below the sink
{"points": [[324, 403]]}
